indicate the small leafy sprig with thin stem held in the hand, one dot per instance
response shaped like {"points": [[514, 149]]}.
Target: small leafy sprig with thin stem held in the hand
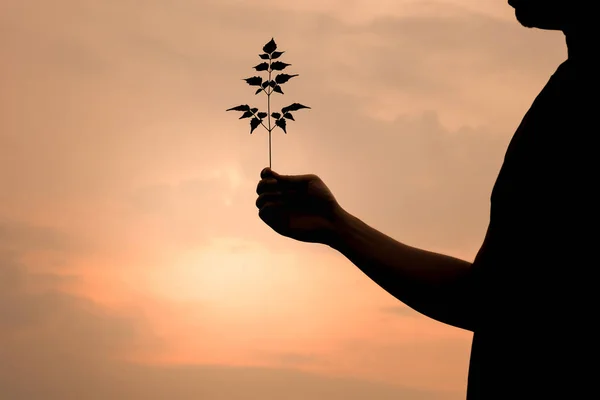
{"points": [[269, 86]]}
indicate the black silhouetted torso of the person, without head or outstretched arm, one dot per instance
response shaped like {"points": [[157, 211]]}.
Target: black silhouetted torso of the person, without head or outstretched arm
{"points": [[535, 271]]}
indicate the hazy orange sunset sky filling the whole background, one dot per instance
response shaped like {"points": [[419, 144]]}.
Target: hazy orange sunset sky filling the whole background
{"points": [[133, 264]]}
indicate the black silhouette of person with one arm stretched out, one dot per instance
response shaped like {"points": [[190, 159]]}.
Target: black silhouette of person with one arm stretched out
{"points": [[530, 294]]}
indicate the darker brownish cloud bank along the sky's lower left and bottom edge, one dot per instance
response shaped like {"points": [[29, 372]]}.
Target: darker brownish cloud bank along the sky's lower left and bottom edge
{"points": [[55, 345]]}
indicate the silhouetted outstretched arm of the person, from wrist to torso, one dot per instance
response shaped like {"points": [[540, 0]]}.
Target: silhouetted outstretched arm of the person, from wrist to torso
{"points": [[433, 284]]}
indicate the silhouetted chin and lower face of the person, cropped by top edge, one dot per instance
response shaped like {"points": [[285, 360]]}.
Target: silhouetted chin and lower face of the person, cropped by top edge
{"points": [[551, 14]]}
